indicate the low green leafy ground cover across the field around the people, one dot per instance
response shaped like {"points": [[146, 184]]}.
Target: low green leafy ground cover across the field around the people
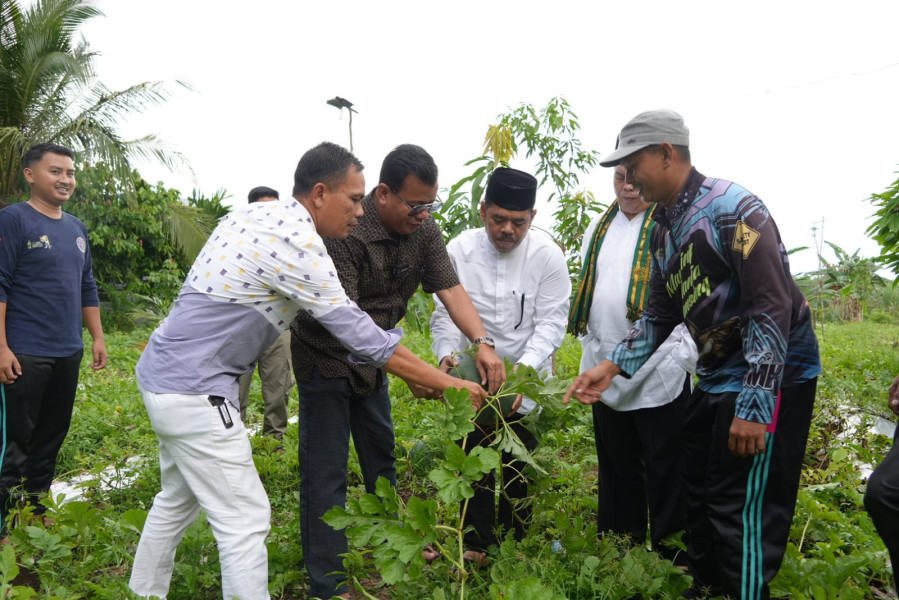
{"points": [[86, 553]]}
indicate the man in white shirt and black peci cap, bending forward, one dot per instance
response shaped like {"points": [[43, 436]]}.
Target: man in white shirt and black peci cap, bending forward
{"points": [[518, 282]]}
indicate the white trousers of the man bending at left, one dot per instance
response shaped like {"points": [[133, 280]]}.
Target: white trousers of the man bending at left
{"points": [[203, 465]]}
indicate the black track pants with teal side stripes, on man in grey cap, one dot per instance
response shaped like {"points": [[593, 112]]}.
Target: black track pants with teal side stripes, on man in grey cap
{"points": [[739, 510]]}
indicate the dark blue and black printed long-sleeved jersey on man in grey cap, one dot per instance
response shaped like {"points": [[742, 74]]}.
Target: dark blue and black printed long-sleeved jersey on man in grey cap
{"points": [[719, 266]]}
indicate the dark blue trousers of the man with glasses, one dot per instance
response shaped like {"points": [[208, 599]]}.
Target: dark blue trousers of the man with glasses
{"points": [[329, 412]]}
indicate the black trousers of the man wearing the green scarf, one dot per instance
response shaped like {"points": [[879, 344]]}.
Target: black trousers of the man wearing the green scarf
{"points": [[640, 456]]}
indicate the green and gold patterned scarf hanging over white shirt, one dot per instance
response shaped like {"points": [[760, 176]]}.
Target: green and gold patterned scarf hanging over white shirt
{"points": [[638, 290]]}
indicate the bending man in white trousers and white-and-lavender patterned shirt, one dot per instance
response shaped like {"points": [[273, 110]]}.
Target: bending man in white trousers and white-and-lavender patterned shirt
{"points": [[261, 265]]}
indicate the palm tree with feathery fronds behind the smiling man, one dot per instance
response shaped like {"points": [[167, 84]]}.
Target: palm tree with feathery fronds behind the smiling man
{"points": [[49, 93]]}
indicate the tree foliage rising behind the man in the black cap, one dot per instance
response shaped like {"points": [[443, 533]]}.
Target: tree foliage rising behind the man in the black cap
{"points": [[549, 136]]}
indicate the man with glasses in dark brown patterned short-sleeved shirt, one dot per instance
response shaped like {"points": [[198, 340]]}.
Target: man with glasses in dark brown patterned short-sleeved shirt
{"points": [[396, 247]]}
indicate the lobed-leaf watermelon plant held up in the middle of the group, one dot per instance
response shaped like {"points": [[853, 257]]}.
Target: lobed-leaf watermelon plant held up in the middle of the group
{"points": [[396, 529]]}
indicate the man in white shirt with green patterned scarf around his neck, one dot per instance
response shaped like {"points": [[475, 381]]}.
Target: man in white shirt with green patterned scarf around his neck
{"points": [[637, 422]]}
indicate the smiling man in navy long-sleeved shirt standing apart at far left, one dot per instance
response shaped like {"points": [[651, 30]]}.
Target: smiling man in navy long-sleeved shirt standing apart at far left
{"points": [[47, 290]]}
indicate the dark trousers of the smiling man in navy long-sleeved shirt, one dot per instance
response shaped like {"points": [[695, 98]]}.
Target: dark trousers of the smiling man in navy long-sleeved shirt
{"points": [[35, 413]]}
